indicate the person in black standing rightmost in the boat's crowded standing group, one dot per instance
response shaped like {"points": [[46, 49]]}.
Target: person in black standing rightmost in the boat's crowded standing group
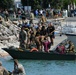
{"points": [[50, 31]]}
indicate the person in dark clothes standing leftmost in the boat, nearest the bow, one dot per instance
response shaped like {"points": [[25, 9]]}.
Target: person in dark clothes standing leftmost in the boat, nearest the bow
{"points": [[23, 38]]}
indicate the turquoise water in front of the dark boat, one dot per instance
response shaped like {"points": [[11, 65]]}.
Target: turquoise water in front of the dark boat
{"points": [[44, 67]]}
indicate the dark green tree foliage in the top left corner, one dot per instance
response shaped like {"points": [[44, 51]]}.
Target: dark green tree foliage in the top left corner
{"points": [[6, 4]]}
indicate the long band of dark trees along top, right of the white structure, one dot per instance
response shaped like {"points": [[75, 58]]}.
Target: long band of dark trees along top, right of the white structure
{"points": [[58, 4]]}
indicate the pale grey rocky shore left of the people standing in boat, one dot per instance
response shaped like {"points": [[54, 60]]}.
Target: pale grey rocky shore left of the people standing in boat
{"points": [[9, 31]]}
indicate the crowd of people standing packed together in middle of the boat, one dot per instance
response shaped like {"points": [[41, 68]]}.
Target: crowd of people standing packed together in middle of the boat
{"points": [[39, 37]]}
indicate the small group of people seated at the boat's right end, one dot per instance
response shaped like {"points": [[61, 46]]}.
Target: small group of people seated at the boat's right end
{"points": [[67, 47]]}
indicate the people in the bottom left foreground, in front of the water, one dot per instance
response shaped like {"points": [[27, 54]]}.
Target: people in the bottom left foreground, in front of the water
{"points": [[18, 69]]}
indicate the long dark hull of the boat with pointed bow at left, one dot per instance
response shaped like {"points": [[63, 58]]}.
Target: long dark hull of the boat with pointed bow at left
{"points": [[16, 54]]}
